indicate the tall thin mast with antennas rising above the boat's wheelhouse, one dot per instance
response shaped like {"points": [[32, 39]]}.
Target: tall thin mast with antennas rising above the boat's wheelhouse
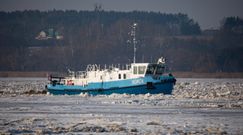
{"points": [[134, 41]]}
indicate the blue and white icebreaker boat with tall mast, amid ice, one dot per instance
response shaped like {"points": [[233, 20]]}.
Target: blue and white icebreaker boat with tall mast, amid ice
{"points": [[136, 78]]}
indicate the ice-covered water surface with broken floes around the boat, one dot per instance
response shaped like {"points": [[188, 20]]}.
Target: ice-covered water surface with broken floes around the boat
{"points": [[197, 106]]}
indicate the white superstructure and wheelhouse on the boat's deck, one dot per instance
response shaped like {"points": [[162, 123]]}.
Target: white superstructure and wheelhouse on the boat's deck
{"points": [[94, 73]]}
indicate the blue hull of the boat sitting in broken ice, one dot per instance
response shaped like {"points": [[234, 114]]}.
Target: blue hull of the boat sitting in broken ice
{"points": [[148, 85]]}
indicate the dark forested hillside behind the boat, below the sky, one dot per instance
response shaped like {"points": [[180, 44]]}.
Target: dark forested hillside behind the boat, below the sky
{"points": [[101, 37]]}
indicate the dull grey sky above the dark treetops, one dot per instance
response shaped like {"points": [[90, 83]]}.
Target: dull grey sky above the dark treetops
{"points": [[208, 13]]}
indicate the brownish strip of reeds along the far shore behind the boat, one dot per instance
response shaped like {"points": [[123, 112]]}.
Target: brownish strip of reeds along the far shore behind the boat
{"points": [[6, 74]]}
